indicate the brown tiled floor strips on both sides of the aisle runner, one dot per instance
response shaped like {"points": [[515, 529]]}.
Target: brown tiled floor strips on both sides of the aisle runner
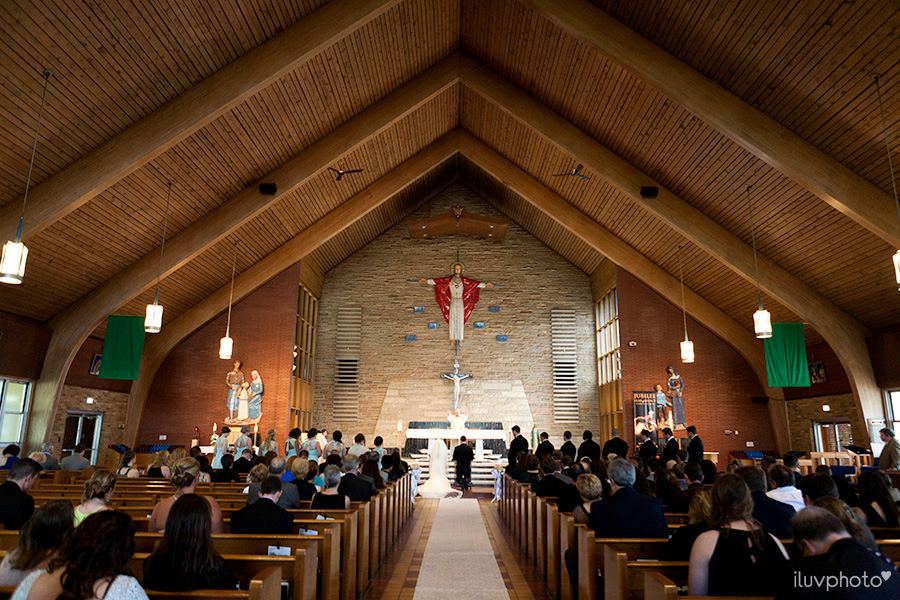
{"points": [[397, 577]]}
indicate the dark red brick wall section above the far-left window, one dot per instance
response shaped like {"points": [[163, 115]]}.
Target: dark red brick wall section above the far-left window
{"points": [[23, 344]]}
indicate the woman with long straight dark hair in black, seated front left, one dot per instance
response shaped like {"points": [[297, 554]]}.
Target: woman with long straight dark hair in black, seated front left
{"points": [[185, 559]]}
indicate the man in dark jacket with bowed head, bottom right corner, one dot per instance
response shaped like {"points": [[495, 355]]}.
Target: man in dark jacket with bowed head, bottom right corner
{"points": [[831, 558]]}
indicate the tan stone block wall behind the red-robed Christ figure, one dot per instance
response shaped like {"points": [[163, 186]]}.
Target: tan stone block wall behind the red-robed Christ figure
{"points": [[401, 379]]}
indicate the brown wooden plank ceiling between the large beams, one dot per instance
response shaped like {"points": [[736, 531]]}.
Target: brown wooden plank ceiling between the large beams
{"points": [[807, 65]]}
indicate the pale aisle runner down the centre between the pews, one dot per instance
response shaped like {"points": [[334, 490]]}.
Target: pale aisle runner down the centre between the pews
{"points": [[459, 560]]}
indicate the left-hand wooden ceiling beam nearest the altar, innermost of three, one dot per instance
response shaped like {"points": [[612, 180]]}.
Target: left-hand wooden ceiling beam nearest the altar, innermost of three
{"points": [[158, 347]]}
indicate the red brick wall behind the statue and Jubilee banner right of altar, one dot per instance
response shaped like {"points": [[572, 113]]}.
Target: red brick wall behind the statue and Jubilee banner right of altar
{"points": [[718, 385]]}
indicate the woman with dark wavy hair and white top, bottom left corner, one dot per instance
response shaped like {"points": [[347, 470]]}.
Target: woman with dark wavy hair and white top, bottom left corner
{"points": [[95, 565]]}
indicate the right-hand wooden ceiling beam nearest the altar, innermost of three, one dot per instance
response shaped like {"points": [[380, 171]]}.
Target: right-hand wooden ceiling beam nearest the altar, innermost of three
{"points": [[602, 240]]}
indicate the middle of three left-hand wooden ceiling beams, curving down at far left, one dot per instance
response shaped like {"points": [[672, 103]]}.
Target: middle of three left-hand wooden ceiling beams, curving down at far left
{"points": [[72, 327]]}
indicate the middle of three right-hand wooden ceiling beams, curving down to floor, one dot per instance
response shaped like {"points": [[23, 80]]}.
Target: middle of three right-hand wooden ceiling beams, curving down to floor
{"points": [[843, 333]]}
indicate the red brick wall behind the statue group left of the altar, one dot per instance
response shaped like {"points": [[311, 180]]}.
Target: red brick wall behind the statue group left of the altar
{"points": [[189, 389]]}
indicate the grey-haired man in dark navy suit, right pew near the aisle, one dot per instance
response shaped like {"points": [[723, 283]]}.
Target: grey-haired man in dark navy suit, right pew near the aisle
{"points": [[627, 513]]}
